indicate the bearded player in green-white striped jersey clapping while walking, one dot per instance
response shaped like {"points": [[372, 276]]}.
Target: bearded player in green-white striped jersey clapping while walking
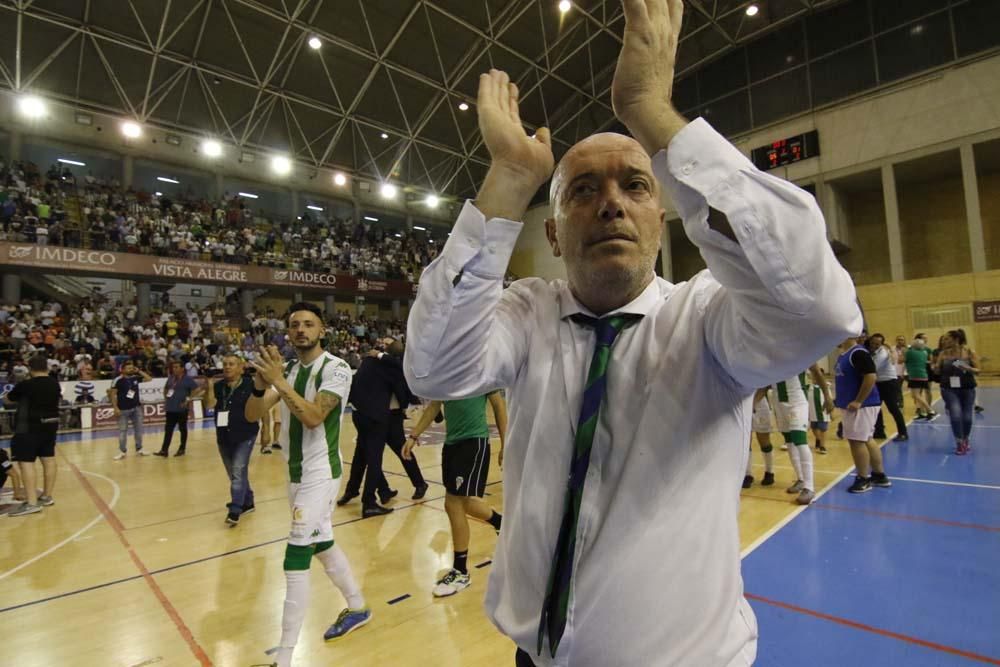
{"points": [[312, 390]]}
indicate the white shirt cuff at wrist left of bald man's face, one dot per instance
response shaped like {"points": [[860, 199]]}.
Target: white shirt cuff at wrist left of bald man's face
{"points": [[482, 248]]}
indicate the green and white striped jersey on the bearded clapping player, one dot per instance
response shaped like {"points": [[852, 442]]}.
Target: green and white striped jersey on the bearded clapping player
{"points": [[314, 453]]}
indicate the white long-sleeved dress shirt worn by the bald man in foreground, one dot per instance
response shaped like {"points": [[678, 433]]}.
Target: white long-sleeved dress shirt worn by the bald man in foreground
{"points": [[657, 562]]}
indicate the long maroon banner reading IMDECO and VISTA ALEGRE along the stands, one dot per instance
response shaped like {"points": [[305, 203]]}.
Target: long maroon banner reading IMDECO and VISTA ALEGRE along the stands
{"points": [[150, 267]]}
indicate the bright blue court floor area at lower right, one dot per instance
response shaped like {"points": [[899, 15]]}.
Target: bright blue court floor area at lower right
{"points": [[902, 576]]}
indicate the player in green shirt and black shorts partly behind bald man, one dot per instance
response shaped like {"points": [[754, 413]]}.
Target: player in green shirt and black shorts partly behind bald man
{"points": [[465, 465]]}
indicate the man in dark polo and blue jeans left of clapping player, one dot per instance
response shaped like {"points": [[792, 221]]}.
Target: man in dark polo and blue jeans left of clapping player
{"points": [[233, 433]]}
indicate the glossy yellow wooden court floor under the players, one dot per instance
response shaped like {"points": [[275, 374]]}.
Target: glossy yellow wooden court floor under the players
{"points": [[134, 565]]}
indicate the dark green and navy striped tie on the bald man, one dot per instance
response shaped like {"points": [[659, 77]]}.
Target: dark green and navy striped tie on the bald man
{"points": [[557, 596]]}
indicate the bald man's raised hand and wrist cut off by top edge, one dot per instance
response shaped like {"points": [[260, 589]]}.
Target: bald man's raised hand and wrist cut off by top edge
{"points": [[643, 83]]}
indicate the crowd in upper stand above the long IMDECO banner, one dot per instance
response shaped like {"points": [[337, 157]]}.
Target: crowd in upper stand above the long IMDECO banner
{"points": [[33, 210]]}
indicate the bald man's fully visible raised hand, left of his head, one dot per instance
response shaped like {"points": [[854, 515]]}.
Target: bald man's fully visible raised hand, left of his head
{"points": [[520, 164]]}
